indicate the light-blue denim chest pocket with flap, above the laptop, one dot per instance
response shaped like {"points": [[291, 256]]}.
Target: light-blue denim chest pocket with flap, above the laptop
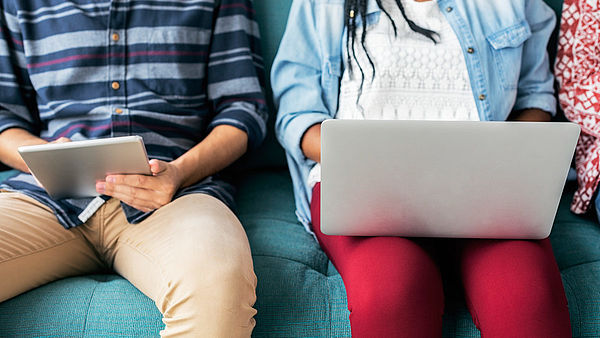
{"points": [[507, 52]]}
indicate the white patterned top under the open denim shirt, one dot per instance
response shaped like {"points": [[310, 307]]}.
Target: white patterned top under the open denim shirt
{"points": [[415, 79]]}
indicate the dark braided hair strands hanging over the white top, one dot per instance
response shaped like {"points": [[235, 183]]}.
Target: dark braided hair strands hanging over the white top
{"points": [[355, 8]]}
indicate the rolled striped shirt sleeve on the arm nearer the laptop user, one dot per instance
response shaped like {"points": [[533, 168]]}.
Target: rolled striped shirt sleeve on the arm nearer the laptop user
{"points": [[236, 71]]}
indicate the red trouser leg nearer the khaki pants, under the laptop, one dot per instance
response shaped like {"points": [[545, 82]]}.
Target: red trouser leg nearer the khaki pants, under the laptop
{"points": [[393, 286]]}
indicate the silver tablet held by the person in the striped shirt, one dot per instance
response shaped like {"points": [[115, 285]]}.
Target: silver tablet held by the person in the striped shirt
{"points": [[71, 169]]}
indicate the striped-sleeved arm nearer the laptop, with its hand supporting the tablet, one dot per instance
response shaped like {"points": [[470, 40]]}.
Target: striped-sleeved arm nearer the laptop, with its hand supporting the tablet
{"points": [[234, 88]]}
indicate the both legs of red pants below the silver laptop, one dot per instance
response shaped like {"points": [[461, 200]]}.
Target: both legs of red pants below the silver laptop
{"points": [[394, 287]]}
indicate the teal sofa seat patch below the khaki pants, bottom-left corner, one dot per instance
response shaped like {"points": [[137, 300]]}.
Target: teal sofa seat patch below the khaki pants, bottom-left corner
{"points": [[95, 305]]}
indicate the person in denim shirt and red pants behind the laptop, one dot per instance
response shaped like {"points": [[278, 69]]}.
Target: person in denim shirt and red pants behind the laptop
{"points": [[394, 287]]}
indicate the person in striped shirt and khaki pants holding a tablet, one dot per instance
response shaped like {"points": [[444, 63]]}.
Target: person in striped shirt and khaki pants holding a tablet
{"points": [[188, 78]]}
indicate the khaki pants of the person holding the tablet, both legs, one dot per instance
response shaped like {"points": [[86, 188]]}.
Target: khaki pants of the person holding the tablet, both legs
{"points": [[191, 257]]}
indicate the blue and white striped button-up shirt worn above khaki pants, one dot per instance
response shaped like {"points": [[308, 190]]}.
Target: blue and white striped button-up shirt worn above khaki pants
{"points": [[88, 69]]}
